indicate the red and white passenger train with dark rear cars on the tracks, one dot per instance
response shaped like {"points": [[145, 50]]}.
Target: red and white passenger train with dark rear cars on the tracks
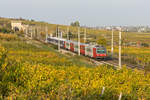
{"points": [[90, 50]]}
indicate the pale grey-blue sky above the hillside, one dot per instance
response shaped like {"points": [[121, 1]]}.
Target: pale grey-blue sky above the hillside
{"points": [[88, 12]]}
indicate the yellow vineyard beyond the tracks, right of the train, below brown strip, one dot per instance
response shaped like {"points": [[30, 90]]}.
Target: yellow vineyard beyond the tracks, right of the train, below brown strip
{"points": [[134, 55]]}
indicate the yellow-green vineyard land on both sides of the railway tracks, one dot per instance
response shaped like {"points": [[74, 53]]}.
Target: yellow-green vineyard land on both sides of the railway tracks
{"points": [[33, 70]]}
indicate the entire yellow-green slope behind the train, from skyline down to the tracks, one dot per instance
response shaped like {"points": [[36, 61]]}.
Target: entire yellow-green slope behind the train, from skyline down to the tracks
{"points": [[135, 46]]}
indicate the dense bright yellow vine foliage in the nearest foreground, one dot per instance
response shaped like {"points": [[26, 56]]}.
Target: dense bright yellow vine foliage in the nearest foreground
{"points": [[35, 81]]}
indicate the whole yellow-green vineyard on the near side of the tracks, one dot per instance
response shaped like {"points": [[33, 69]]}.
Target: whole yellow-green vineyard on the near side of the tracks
{"points": [[31, 70]]}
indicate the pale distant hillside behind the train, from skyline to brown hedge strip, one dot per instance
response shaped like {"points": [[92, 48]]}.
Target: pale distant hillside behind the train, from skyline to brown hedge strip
{"points": [[92, 34]]}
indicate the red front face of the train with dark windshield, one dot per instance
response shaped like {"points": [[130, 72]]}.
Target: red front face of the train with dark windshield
{"points": [[101, 52]]}
